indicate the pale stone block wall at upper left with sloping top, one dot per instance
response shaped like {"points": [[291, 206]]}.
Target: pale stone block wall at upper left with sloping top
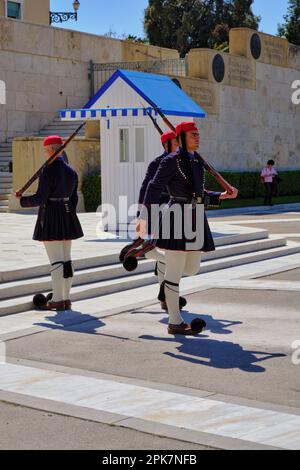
{"points": [[46, 69]]}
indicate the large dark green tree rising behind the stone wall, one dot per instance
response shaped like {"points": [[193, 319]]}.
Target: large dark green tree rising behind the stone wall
{"points": [[186, 24]]}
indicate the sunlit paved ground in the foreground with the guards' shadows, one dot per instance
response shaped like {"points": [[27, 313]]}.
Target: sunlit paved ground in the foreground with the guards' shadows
{"points": [[110, 366]]}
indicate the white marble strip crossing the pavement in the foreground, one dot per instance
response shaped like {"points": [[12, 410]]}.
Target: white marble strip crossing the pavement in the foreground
{"points": [[271, 428]]}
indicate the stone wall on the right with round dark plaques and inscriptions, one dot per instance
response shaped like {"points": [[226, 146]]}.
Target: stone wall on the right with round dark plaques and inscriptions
{"points": [[250, 114]]}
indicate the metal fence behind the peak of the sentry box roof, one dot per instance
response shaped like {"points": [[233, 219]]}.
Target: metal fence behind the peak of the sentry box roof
{"points": [[100, 73]]}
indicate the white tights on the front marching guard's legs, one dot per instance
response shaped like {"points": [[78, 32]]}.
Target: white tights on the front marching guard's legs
{"points": [[172, 266]]}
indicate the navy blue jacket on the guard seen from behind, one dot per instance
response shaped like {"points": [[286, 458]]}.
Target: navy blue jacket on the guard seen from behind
{"points": [[58, 180]]}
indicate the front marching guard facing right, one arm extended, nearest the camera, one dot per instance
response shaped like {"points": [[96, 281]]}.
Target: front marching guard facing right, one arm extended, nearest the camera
{"points": [[182, 172]]}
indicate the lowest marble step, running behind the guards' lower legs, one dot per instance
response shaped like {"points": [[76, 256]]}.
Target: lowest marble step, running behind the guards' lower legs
{"points": [[109, 287]]}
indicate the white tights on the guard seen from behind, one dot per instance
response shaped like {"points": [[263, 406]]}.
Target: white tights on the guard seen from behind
{"points": [[59, 252]]}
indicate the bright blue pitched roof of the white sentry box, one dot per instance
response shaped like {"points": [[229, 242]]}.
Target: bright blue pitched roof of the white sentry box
{"points": [[158, 90]]}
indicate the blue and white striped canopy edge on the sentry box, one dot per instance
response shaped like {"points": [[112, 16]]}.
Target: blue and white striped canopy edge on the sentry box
{"points": [[82, 114]]}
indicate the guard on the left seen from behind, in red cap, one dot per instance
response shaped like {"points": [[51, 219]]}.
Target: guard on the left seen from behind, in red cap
{"points": [[57, 224]]}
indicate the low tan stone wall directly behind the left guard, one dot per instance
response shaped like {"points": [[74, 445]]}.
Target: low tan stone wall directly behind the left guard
{"points": [[83, 155]]}
